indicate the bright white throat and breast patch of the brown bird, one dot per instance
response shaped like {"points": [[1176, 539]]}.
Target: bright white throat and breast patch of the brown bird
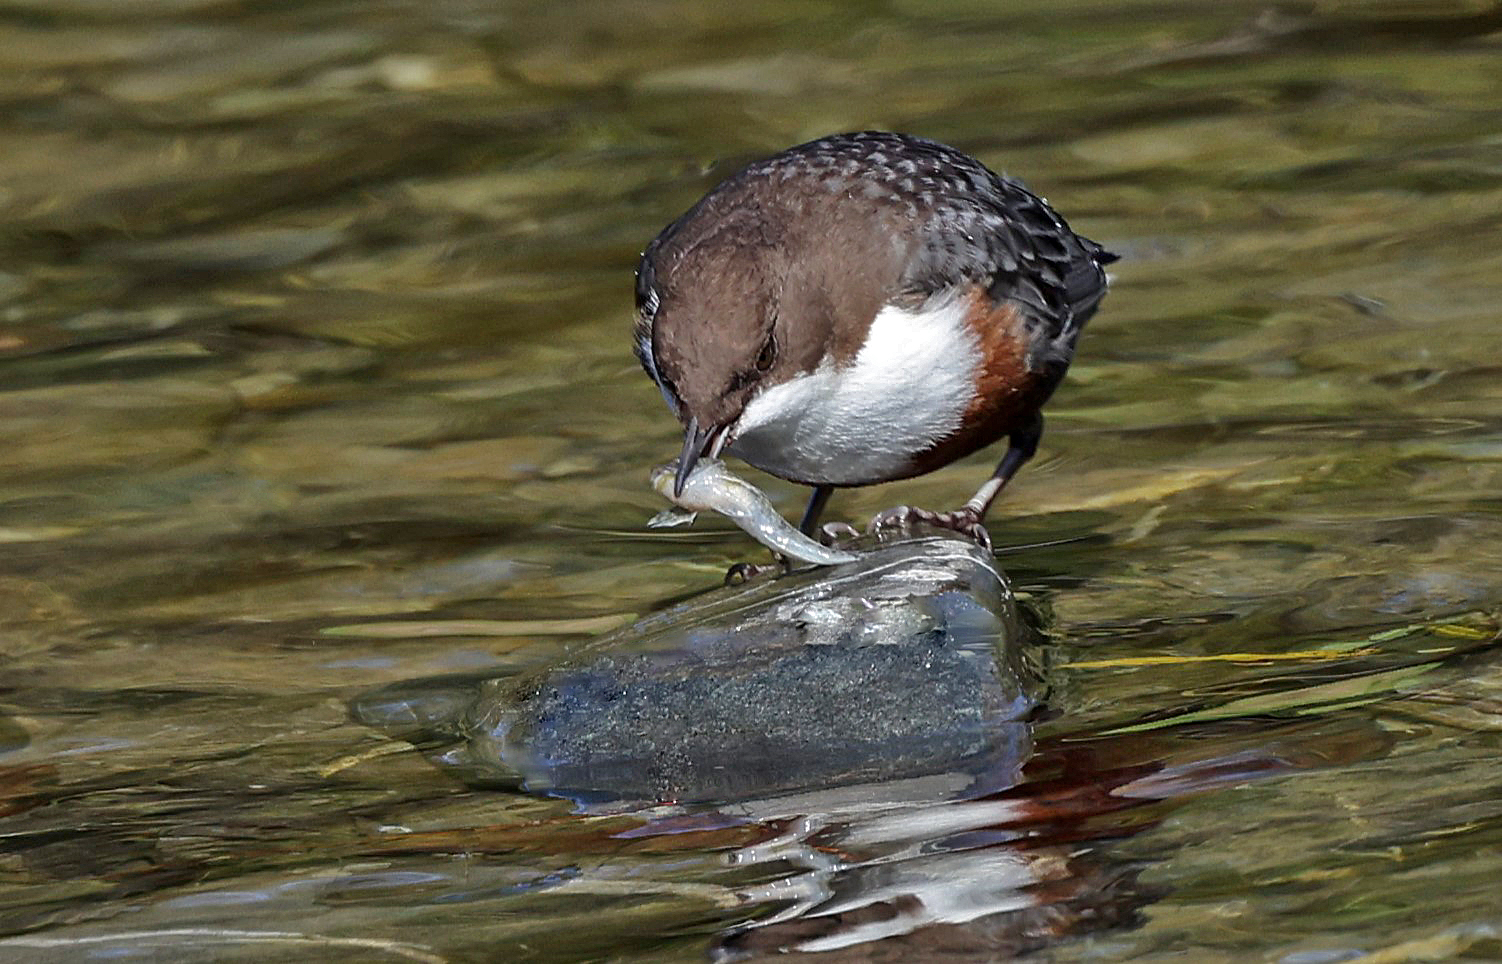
{"points": [[906, 390]]}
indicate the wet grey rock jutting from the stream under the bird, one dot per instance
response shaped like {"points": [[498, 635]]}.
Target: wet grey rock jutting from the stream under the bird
{"points": [[906, 666]]}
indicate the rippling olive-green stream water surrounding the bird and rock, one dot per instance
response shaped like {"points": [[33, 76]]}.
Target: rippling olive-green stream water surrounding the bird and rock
{"points": [[316, 381]]}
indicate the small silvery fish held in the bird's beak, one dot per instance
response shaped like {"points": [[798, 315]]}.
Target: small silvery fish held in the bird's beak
{"points": [[714, 487]]}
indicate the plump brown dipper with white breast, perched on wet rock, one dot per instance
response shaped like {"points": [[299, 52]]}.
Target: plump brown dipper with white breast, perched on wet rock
{"points": [[863, 309]]}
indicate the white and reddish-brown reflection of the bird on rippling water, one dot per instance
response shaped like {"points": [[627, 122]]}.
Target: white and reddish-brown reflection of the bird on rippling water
{"points": [[1010, 873]]}
